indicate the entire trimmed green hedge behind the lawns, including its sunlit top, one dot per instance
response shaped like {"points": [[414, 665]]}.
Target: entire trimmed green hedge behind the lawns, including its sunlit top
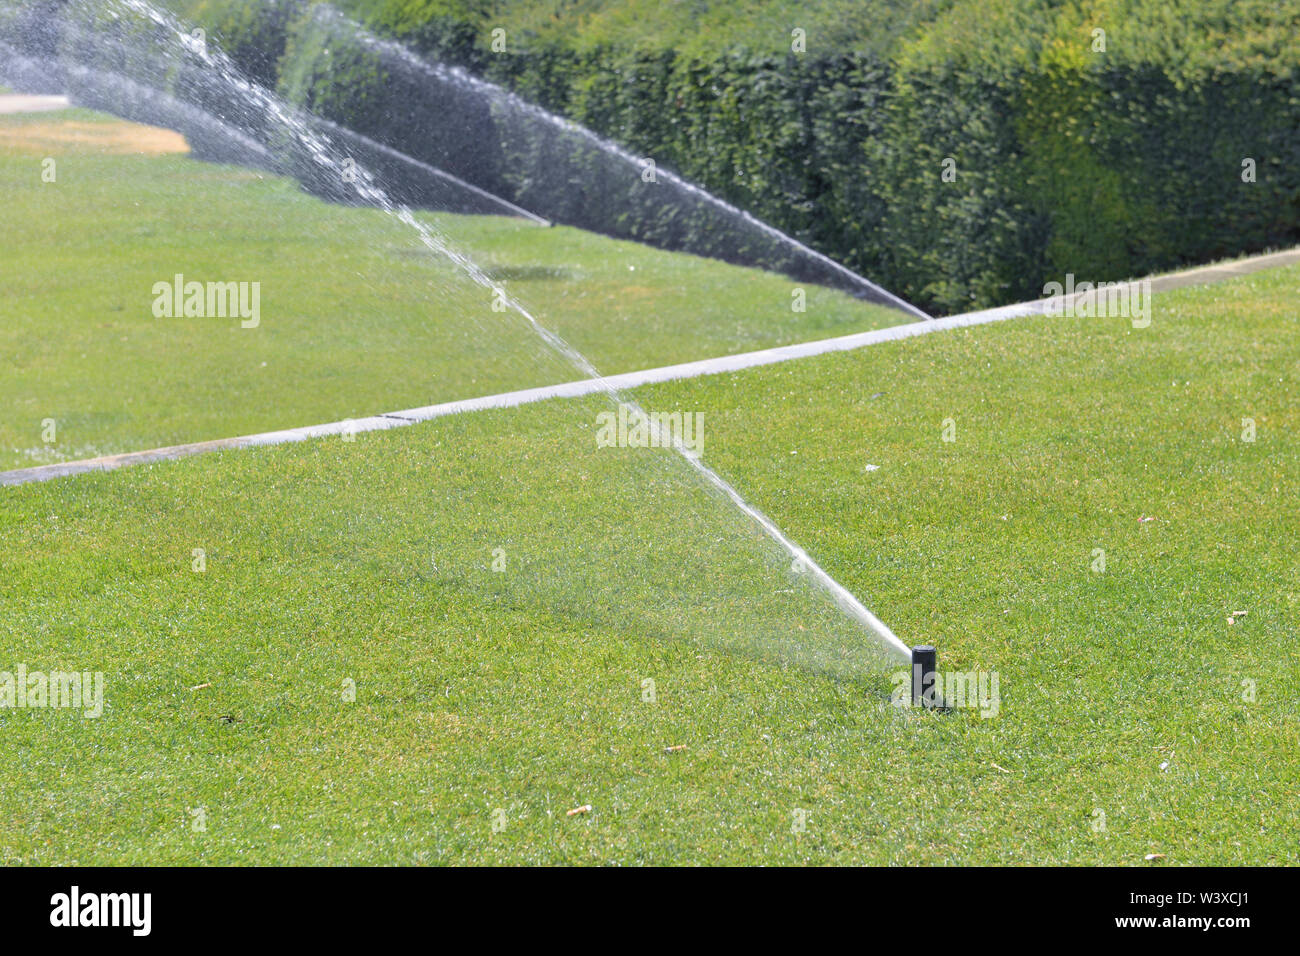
{"points": [[1104, 163]]}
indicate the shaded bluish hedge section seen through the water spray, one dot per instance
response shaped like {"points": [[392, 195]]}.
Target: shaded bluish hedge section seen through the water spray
{"points": [[500, 142]]}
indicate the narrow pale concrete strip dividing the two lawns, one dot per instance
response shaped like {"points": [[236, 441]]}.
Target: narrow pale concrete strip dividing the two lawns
{"points": [[630, 380]]}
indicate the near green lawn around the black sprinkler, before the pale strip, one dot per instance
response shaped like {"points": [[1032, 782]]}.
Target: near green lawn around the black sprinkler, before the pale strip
{"points": [[1134, 720]]}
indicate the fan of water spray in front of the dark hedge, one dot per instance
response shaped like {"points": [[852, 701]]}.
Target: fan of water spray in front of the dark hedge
{"points": [[560, 170]]}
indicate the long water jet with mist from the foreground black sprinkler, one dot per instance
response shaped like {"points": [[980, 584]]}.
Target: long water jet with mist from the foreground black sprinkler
{"points": [[712, 518]]}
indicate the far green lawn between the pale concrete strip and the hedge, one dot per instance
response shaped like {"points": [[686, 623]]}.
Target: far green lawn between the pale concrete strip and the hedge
{"points": [[357, 318]]}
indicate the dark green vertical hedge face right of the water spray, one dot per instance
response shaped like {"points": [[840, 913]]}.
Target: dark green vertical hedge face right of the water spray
{"points": [[1107, 174]]}
